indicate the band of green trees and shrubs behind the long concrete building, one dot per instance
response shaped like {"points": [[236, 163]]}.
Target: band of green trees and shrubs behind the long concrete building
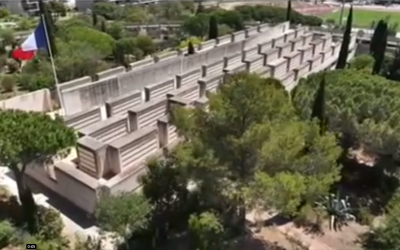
{"points": [[85, 44]]}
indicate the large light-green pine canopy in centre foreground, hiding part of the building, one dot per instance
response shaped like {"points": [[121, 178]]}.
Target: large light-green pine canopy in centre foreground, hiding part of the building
{"points": [[250, 127]]}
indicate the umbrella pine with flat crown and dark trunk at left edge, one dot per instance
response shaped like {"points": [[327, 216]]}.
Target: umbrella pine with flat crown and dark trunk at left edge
{"points": [[24, 143]]}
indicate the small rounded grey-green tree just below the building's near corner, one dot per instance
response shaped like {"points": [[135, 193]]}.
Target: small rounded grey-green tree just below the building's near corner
{"points": [[123, 214]]}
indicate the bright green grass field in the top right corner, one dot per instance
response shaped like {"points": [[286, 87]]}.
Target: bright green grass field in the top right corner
{"points": [[364, 18]]}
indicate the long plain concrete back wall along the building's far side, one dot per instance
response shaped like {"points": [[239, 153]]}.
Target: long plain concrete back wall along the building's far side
{"points": [[86, 93]]}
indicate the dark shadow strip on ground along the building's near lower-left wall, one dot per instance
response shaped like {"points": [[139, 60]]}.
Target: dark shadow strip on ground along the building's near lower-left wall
{"points": [[65, 207]]}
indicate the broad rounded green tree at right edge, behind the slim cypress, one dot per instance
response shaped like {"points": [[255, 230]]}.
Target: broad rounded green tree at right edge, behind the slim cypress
{"points": [[370, 122]]}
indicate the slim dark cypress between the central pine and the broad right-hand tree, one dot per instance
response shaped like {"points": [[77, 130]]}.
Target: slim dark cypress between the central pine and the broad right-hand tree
{"points": [[318, 110]]}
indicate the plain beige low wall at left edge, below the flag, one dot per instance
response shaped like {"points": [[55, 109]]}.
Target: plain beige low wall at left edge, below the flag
{"points": [[39, 101]]}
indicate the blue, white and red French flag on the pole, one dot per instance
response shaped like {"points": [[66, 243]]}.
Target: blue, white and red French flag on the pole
{"points": [[35, 41]]}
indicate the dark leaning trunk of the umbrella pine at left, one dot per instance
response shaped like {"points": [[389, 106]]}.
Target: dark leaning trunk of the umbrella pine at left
{"points": [[28, 205]]}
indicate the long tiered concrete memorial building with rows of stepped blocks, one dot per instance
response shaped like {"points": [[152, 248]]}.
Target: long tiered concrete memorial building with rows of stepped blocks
{"points": [[121, 116]]}
